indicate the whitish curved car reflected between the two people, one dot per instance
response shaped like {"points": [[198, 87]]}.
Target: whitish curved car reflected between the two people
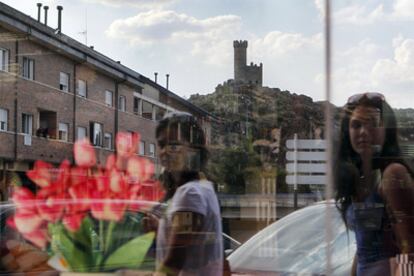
{"points": [[297, 245]]}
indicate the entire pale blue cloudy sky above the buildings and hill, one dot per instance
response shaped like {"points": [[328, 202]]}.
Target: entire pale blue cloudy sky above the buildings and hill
{"points": [[373, 46]]}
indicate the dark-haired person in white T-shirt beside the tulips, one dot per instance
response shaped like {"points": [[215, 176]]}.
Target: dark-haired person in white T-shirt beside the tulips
{"points": [[189, 240]]}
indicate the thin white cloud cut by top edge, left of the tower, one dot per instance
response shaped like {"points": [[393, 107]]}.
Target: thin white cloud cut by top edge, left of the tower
{"points": [[141, 4]]}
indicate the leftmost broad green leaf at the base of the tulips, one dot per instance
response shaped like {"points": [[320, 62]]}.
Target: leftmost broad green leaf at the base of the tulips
{"points": [[77, 259]]}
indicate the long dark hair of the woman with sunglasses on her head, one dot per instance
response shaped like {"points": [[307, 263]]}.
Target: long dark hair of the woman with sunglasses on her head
{"points": [[347, 165]]}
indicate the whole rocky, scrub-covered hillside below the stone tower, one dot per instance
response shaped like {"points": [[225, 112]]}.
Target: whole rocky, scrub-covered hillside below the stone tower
{"points": [[252, 126]]}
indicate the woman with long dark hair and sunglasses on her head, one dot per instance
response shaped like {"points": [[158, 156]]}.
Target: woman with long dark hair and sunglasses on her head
{"points": [[374, 185]]}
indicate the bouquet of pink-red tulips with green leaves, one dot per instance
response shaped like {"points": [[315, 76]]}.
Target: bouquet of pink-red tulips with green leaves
{"points": [[89, 217]]}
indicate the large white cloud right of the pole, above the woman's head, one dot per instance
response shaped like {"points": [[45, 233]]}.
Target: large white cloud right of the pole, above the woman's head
{"points": [[364, 67]]}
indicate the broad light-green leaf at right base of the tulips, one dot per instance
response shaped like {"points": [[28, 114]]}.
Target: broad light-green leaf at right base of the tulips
{"points": [[131, 254]]}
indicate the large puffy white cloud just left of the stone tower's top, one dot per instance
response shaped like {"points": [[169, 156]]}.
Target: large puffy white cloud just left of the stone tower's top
{"points": [[209, 38]]}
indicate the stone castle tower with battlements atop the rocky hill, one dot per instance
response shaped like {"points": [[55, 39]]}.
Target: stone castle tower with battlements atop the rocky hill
{"points": [[243, 73]]}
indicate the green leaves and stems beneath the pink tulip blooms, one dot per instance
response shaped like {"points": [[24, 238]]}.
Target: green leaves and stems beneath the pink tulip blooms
{"points": [[103, 245]]}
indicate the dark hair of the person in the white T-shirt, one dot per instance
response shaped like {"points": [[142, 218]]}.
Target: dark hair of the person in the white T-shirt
{"points": [[183, 127]]}
